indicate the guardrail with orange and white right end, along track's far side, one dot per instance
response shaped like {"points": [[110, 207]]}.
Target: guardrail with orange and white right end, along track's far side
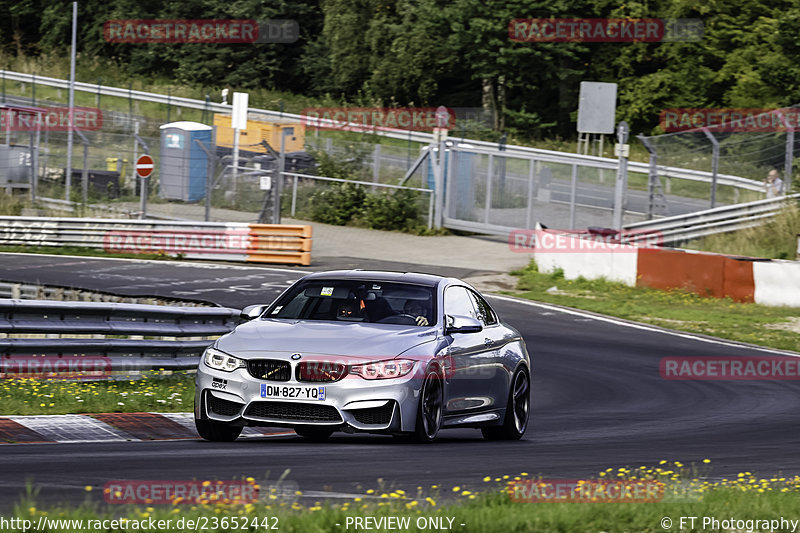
{"points": [[233, 241]]}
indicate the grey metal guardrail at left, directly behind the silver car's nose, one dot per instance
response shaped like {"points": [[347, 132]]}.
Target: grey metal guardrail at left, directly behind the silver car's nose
{"points": [[62, 331]]}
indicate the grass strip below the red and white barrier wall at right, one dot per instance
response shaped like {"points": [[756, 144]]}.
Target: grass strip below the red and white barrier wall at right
{"points": [[775, 327]]}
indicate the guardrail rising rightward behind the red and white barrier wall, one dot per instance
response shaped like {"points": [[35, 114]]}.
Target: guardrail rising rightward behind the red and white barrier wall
{"points": [[709, 222]]}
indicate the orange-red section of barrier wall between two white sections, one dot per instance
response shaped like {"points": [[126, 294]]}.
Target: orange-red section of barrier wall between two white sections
{"points": [[706, 274]]}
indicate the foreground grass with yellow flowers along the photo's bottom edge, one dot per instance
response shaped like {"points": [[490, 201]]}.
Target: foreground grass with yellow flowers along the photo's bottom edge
{"points": [[487, 508]]}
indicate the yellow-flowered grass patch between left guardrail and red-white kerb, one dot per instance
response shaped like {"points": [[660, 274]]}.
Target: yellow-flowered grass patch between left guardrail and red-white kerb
{"points": [[153, 392]]}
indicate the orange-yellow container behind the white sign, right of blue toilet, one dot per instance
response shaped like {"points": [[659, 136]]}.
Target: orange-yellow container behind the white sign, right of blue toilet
{"points": [[258, 130]]}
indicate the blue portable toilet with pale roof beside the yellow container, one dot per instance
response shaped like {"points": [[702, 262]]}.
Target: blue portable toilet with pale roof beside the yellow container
{"points": [[183, 163]]}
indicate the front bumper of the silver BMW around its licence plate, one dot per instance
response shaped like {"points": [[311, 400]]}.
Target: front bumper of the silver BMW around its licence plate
{"points": [[352, 403]]}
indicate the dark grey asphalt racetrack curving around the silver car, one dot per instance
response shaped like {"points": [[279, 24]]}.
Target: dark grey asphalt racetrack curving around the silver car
{"points": [[598, 402]]}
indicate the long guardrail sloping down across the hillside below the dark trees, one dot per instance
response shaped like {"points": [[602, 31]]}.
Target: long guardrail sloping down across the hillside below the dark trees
{"points": [[404, 135]]}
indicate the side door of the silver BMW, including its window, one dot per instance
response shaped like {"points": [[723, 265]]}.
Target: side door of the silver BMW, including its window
{"points": [[469, 361]]}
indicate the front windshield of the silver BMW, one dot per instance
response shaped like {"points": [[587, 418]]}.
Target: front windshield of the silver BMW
{"points": [[357, 301]]}
